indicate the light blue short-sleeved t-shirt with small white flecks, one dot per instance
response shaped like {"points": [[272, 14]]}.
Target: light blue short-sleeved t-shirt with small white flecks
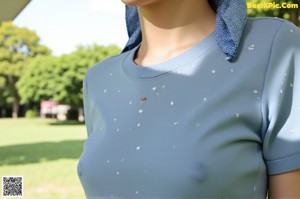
{"points": [[195, 126]]}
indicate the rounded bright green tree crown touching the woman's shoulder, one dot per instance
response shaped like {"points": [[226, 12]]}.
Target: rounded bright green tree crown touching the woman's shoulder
{"points": [[60, 78]]}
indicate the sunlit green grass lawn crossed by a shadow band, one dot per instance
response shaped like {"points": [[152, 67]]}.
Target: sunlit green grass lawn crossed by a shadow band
{"points": [[45, 153]]}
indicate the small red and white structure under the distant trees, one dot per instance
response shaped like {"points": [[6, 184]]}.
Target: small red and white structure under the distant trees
{"points": [[52, 108]]}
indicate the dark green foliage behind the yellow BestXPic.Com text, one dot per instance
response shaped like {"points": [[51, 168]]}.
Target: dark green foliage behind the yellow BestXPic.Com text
{"points": [[292, 14]]}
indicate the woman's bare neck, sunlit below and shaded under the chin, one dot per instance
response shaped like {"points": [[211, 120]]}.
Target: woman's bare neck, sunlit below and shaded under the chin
{"points": [[169, 27]]}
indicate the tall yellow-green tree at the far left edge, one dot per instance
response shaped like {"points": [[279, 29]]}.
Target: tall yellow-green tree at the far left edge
{"points": [[17, 46]]}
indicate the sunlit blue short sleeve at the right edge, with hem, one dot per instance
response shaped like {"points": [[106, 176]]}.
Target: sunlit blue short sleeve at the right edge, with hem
{"points": [[281, 102]]}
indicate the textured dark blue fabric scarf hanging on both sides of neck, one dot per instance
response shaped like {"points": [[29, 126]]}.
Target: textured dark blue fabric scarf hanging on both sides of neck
{"points": [[231, 16]]}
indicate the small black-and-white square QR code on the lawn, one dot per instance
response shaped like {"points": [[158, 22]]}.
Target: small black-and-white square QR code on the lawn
{"points": [[12, 186]]}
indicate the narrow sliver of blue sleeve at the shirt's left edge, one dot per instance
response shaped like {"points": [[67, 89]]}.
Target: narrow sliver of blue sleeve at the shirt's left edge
{"points": [[87, 107]]}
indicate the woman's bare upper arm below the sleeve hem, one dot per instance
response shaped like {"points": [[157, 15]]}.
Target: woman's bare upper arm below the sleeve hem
{"points": [[285, 185]]}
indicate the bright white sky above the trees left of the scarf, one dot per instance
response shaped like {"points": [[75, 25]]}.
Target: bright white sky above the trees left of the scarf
{"points": [[62, 25]]}
